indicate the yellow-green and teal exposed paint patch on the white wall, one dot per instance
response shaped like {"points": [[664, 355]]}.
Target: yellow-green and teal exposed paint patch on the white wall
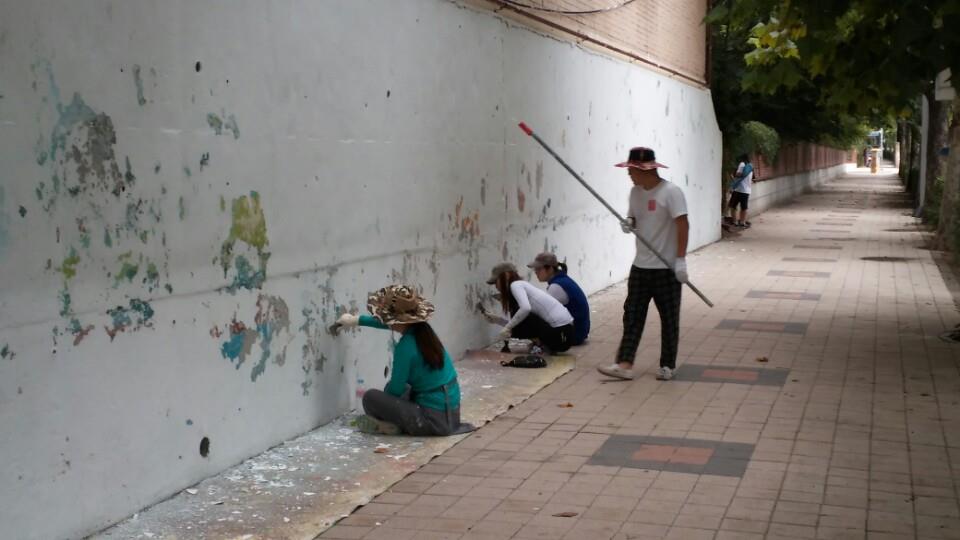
{"points": [[248, 226]]}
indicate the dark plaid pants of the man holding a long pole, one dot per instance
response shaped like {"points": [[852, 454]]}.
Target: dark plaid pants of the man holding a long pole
{"points": [[662, 286]]}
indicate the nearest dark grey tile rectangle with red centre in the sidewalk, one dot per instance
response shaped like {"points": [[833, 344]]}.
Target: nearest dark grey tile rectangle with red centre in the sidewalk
{"points": [[697, 456]]}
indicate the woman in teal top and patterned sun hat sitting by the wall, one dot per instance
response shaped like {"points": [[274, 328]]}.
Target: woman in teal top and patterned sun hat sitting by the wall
{"points": [[422, 396]]}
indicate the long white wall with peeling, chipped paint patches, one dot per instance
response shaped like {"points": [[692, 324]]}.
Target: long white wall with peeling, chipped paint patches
{"points": [[191, 191]]}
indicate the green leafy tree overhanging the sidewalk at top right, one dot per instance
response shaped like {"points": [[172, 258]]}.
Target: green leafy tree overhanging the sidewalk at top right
{"points": [[869, 59]]}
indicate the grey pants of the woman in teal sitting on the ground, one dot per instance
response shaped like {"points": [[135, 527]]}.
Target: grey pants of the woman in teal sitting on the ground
{"points": [[410, 417]]}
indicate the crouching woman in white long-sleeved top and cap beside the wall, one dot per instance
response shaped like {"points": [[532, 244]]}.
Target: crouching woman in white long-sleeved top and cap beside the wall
{"points": [[536, 315]]}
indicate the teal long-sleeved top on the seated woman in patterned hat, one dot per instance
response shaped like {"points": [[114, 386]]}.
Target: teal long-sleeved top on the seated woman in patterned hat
{"points": [[409, 368]]}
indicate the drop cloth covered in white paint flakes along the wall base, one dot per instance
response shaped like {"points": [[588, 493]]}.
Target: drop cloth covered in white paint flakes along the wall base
{"points": [[300, 488]]}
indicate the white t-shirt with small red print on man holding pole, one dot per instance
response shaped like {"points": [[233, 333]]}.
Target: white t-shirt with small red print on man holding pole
{"points": [[655, 212]]}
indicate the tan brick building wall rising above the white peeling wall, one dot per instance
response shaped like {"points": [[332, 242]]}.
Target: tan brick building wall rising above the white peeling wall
{"points": [[668, 35]]}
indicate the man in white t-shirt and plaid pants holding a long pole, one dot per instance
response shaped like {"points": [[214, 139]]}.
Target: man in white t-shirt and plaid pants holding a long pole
{"points": [[658, 212]]}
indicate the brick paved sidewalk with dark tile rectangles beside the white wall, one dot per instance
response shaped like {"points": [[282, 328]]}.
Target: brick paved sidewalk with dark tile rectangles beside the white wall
{"points": [[849, 429]]}
